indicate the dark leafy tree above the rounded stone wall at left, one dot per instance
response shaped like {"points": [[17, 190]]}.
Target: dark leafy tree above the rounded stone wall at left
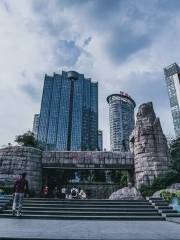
{"points": [[27, 140]]}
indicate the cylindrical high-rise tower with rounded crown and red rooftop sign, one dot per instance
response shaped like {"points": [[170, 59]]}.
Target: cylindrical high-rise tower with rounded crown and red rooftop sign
{"points": [[121, 117]]}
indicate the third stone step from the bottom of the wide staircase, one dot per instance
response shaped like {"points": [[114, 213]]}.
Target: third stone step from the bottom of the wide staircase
{"points": [[92, 209]]}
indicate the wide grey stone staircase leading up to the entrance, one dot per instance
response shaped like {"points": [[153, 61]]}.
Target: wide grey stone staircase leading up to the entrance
{"points": [[43, 208]]}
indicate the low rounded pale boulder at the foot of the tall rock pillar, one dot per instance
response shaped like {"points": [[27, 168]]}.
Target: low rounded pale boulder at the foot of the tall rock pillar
{"points": [[126, 193]]}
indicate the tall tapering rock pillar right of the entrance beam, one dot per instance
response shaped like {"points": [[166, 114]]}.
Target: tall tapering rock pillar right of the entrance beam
{"points": [[149, 145]]}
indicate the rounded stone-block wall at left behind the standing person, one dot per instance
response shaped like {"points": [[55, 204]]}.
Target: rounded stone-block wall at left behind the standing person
{"points": [[15, 160]]}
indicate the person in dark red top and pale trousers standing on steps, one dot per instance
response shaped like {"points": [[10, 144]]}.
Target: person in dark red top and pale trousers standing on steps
{"points": [[20, 187]]}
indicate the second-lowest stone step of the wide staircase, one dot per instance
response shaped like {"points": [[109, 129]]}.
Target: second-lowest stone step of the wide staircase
{"points": [[87, 213]]}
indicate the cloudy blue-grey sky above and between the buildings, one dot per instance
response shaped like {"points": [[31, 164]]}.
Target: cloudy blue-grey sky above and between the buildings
{"points": [[122, 44]]}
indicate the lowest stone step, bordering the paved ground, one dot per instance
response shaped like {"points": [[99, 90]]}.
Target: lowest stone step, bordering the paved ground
{"points": [[87, 217]]}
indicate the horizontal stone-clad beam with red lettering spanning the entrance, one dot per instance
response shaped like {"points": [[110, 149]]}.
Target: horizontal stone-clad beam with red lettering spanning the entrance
{"points": [[88, 159]]}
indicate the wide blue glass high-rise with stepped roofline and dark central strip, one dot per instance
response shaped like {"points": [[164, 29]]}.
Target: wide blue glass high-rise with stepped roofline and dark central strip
{"points": [[69, 113]]}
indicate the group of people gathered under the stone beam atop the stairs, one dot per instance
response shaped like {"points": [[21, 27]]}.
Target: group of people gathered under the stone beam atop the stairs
{"points": [[64, 193]]}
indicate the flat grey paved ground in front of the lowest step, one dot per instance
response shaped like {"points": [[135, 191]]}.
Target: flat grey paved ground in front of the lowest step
{"points": [[60, 229]]}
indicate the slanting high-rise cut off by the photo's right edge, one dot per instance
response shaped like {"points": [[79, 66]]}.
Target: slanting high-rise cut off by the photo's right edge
{"points": [[172, 76]]}
